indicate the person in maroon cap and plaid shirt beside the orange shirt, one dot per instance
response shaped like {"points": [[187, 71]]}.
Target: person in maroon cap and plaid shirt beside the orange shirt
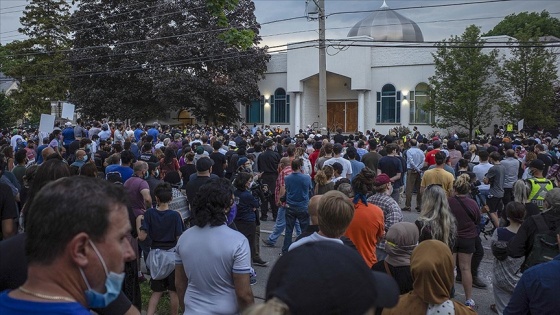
{"points": [[391, 211]]}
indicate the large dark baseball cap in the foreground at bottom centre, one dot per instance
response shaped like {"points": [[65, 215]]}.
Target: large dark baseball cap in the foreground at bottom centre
{"points": [[320, 277]]}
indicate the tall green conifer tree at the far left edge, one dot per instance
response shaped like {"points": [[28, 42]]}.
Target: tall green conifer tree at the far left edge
{"points": [[39, 62]]}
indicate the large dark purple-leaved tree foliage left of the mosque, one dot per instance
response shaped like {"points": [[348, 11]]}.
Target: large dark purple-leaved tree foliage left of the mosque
{"points": [[156, 56]]}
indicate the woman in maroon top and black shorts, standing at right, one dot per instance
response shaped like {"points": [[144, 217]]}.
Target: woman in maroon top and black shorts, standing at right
{"points": [[467, 218]]}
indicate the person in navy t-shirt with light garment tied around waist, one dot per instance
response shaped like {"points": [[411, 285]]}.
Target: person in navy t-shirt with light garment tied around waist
{"points": [[163, 226]]}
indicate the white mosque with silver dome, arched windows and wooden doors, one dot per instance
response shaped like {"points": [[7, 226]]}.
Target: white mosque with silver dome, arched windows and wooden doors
{"points": [[379, 81]]}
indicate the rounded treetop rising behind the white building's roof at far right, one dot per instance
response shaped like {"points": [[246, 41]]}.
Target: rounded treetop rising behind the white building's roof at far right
{"points": [[532, 24]]}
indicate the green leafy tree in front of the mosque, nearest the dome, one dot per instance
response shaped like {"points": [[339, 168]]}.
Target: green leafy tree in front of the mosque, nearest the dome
{"points": [[461, 92]]}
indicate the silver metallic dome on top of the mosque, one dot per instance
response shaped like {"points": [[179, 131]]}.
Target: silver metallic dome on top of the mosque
{"points": [[386, 25]]}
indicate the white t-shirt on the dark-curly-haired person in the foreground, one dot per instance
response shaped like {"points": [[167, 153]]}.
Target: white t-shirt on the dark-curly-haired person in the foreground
{"points": [[210, 257]]}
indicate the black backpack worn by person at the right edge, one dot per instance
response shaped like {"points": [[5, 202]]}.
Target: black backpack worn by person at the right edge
{"points": [[545, 245]]}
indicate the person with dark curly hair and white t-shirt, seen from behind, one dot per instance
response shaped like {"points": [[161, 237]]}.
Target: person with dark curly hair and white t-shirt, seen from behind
{"points": [[216, 279]]}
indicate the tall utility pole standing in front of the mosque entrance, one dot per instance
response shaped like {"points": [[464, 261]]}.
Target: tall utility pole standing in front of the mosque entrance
{"points": [[322, 67]]}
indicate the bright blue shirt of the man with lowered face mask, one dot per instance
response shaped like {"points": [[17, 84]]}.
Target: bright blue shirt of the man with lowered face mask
{"points": [[11, 306]]}
